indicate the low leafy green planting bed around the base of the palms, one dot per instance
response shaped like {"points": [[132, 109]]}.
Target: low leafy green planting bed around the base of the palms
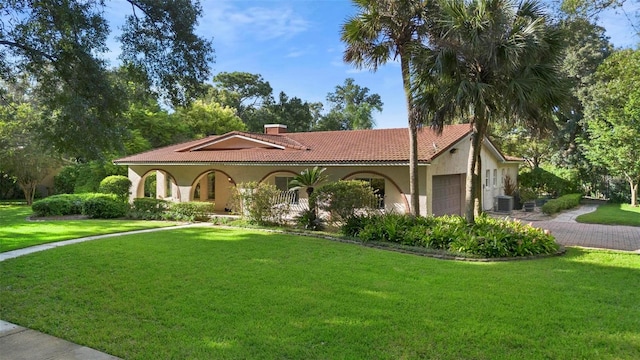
{"points": [[488, 237]]}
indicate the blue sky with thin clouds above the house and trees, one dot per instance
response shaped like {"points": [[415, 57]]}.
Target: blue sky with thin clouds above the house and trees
{"points": [[295, 45]]}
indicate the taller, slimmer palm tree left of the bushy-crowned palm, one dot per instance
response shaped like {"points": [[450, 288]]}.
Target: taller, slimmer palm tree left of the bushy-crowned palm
{"points": [[385, 30]]}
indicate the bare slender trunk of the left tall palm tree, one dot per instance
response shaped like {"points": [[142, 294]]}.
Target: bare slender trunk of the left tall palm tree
{"points": [[413, 139]]}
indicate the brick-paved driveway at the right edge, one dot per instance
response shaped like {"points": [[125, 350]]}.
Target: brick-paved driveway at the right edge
{"points": [[568, 232]]}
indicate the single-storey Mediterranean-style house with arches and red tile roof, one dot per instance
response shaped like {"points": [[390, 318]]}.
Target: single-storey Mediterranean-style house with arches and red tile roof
{"points": [[206, 169]]}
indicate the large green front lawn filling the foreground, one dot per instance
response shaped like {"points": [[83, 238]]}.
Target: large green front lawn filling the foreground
{"points": [[244, 294]]}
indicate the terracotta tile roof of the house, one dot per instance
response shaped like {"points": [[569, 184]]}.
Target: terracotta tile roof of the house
{"points": [[355, 146]]}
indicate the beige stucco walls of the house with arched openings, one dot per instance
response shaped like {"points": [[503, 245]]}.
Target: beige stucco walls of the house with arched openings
{"points": [[397, 196]]}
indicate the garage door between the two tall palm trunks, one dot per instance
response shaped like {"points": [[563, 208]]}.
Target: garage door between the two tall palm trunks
{"points": [[447, 194]]}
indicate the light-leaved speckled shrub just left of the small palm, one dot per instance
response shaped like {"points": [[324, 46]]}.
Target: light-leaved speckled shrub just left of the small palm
{"points": [[259, 203]]}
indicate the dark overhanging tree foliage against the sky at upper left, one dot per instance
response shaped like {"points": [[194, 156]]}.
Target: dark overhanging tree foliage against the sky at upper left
{"points": [[62, 47]]}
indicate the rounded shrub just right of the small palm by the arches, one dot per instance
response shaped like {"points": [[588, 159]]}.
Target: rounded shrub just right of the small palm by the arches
{"points": [[345, 198]]}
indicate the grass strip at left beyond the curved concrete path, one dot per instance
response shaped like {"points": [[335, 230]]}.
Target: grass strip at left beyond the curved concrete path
{"points": [[17, 232]]}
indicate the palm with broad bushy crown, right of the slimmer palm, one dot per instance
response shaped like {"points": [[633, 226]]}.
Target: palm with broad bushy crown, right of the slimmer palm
{"points": [[489, 60]]}
